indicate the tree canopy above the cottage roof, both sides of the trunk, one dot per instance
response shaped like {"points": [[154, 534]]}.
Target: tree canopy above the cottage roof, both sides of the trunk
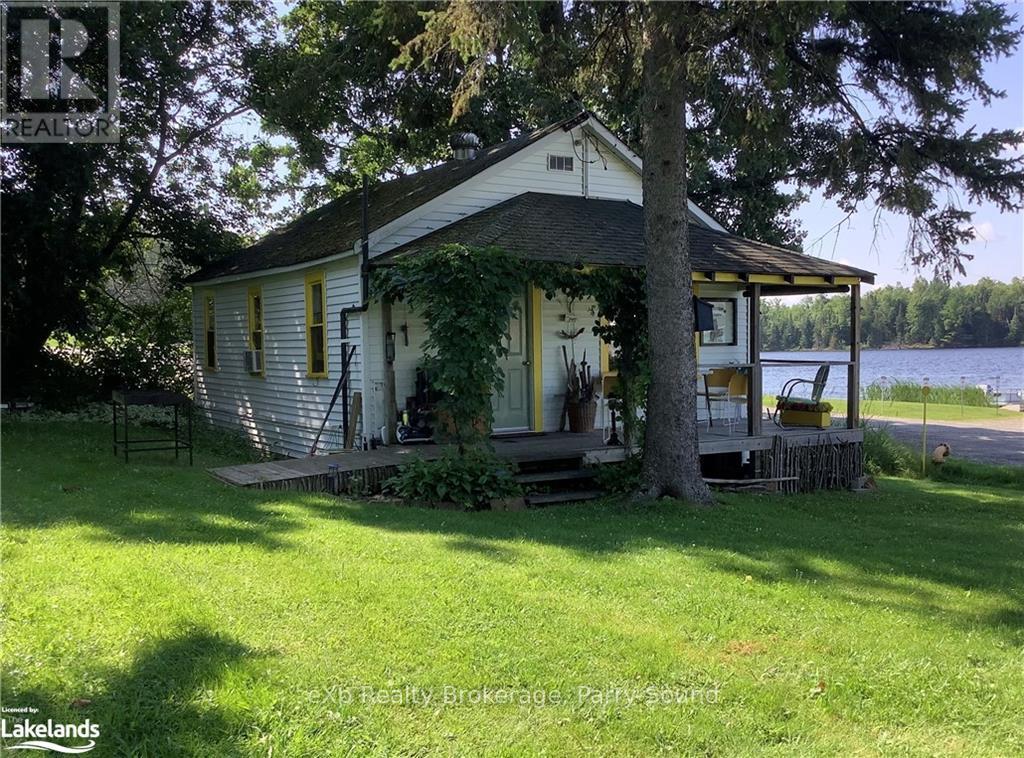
{"points": [[863, 102]]}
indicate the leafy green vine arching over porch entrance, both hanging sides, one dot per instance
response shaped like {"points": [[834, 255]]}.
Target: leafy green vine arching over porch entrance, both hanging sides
{"points": [[467, 296]]}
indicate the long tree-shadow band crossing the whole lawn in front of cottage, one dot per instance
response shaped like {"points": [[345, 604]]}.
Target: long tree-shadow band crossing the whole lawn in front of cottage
{"points": [[959, 536]]}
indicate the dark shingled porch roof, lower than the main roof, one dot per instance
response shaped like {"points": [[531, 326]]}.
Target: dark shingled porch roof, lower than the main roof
{"points": [[576, 230]]}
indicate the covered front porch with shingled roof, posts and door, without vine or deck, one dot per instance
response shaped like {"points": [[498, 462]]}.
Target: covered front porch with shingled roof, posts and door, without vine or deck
{"points": [[586, 233]]}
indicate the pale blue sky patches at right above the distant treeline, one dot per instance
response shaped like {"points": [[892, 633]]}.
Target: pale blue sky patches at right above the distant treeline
{"points": [[999, 245]]}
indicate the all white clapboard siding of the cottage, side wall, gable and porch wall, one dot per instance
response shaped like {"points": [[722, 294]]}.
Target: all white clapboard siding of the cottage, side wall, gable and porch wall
{"points": [[282, 410]]}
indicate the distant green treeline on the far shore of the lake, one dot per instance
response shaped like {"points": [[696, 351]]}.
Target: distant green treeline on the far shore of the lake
{"points": [[989, 314]]}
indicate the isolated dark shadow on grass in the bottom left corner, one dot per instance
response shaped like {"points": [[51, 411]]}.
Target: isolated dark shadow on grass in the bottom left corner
{"points": [[156, 707]]}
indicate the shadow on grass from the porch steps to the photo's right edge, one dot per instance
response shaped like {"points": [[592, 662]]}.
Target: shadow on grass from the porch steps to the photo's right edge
{"points": [[887, 543]]}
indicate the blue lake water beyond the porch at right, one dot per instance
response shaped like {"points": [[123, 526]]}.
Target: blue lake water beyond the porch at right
{"points": [[999, 367]]}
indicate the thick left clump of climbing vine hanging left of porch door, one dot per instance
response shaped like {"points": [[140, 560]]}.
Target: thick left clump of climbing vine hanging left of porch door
{"points": [[466, 298]]}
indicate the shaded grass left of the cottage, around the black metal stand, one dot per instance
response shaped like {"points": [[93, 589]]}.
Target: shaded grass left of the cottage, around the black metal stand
{"points": [[65, 474]]}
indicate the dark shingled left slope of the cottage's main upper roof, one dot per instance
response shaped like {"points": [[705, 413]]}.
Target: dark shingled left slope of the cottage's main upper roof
{"points": [[336, 227]]}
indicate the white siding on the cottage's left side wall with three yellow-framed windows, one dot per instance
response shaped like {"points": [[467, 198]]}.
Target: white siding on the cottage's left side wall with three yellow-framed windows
{"points": [[281, 411]]}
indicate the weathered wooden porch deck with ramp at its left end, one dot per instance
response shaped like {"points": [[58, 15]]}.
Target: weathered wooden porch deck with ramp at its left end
{"points": [[324, 474]]}
